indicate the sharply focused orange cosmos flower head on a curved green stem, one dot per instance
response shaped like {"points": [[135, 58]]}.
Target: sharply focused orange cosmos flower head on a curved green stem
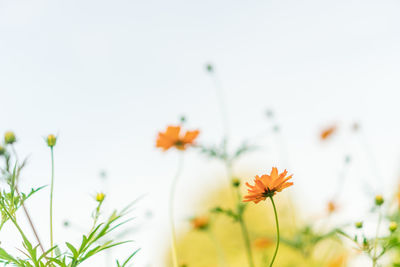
{"points": [[267, 185]]}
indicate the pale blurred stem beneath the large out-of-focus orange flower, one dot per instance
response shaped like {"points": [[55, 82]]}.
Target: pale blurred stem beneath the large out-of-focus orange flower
{"points": [[171, 211]]}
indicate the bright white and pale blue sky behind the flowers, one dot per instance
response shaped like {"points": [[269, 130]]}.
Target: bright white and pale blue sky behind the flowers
{"points": [[108, 75]]}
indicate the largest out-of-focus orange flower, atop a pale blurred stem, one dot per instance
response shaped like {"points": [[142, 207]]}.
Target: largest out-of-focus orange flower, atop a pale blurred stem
{"points": [[172, 138]]}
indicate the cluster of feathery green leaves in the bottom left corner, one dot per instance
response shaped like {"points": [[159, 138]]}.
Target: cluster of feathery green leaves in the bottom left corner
{"points": [[33, 255]]}
